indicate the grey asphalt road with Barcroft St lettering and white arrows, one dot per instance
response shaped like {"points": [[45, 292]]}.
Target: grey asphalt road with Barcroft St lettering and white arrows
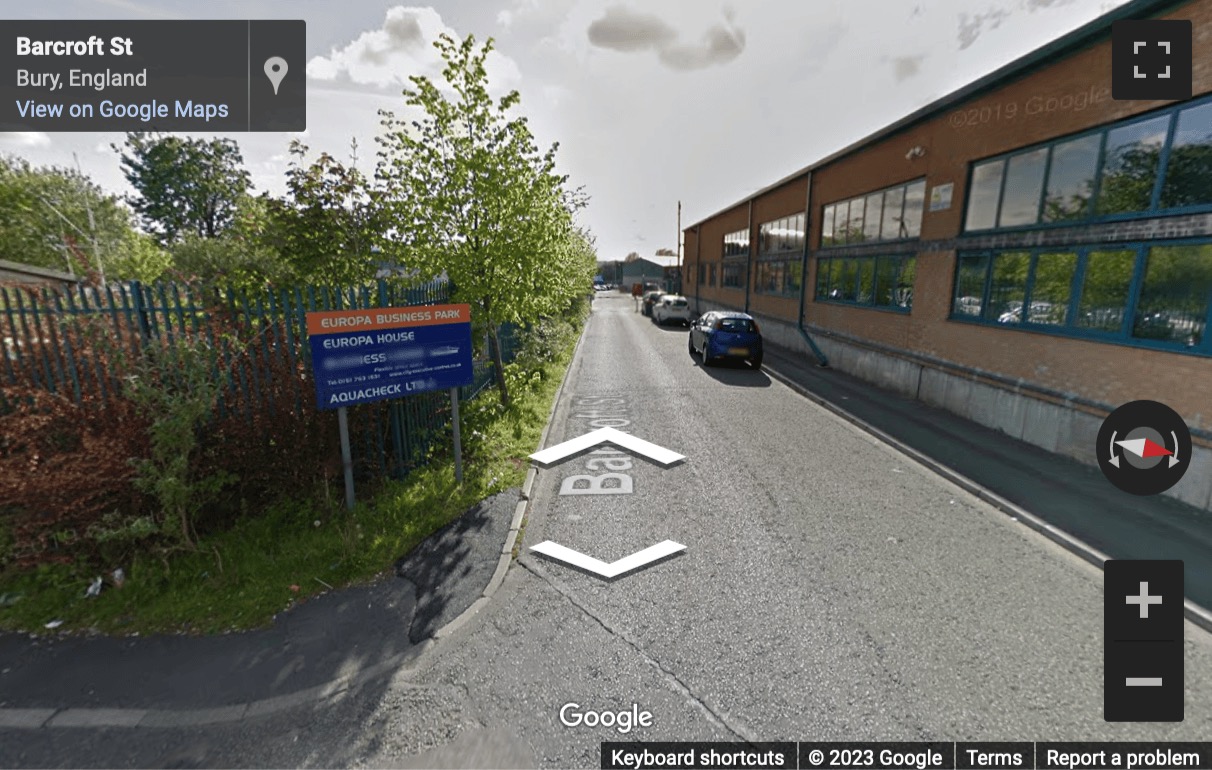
{"points": [[831, 590]]}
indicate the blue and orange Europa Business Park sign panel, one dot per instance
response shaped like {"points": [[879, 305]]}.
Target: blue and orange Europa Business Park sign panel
{"points": [[384, 353]]}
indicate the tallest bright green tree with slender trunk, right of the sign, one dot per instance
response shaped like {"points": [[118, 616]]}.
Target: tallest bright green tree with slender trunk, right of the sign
{"points": [[471, 196]]}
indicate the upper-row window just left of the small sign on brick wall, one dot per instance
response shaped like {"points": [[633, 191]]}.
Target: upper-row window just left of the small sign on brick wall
{"points": [[891, 214]]}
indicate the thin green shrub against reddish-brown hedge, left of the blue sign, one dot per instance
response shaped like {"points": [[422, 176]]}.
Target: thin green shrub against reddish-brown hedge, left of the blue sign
{"points": [[176, 386]]}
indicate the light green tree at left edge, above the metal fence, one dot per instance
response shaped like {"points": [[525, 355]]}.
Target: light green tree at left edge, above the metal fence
{"points": [[59, 219]]}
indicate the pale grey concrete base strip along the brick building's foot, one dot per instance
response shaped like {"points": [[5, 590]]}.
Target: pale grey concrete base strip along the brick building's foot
{"points": [[1059, 427]]}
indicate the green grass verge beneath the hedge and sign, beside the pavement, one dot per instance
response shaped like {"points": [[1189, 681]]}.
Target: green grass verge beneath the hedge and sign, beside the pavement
{"points": [[242, 578]]}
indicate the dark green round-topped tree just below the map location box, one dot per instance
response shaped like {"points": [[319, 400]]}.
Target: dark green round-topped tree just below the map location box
{"points": [[185, 185]]}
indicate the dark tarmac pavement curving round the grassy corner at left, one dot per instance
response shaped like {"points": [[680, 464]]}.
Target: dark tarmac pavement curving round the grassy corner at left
{"points": [[312, 651]]}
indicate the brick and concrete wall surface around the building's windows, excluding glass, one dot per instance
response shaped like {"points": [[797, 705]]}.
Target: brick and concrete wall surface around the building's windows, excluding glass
{"points": [[1079, 378]]}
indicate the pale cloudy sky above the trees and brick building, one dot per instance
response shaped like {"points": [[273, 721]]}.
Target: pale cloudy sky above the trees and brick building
{"points": [[653, 102]]}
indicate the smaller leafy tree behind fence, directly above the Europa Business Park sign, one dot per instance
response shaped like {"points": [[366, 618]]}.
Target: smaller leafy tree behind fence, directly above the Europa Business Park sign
{"points": [[331, 221]]}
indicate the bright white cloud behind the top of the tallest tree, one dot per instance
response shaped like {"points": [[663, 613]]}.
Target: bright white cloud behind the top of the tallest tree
{"points": [[403, 48]]}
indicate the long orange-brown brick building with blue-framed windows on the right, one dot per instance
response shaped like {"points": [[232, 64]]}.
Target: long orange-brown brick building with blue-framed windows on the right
{"points": [[1027, 252]]}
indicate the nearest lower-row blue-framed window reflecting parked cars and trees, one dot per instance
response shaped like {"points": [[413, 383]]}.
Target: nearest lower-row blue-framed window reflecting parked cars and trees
{"points": [[1156, 294]]}
